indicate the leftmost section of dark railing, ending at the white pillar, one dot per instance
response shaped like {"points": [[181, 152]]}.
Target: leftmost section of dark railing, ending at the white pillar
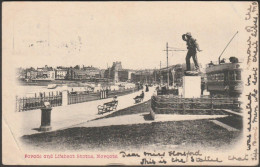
{"points": [[25, 104]]}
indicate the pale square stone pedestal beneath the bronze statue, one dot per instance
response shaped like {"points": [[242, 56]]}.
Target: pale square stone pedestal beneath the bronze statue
{"points": [[191, 86]]}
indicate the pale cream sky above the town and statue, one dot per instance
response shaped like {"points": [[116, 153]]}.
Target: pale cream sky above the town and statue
{"points": [[135, 33]]}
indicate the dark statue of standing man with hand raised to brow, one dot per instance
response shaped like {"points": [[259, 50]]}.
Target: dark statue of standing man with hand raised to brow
{"points": [[192, 47]]}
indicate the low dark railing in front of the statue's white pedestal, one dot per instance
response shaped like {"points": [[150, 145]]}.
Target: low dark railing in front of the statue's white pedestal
{"points": [[164, 104]]}
